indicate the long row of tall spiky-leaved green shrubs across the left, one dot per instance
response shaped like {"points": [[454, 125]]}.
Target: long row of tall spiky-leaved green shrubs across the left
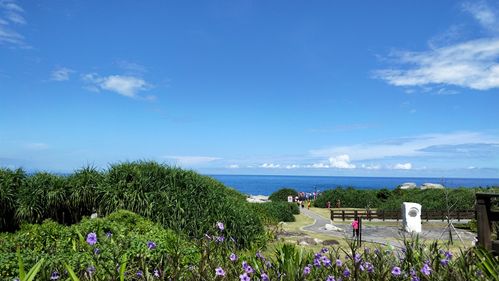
{"points": [[178, 199]]}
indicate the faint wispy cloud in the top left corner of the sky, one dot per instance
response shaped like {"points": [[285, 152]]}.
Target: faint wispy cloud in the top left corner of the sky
{"points": [[11, 16]]}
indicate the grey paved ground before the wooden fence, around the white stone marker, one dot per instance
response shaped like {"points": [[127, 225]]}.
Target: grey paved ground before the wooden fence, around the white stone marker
{"points": [[379, 234]]}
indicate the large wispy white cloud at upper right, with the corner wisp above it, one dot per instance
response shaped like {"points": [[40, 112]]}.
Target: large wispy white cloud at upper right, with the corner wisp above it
{"points": [[470, 64]]}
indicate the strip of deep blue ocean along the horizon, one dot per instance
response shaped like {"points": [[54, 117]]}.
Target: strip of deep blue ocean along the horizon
{"points": [[265, 185]]}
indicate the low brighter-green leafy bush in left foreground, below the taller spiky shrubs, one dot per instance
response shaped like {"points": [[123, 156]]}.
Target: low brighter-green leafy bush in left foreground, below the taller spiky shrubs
{"points": [[120, 234]]}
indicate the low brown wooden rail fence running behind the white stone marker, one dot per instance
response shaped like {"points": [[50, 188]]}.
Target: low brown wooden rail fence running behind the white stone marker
{"points": [[397, 215]]}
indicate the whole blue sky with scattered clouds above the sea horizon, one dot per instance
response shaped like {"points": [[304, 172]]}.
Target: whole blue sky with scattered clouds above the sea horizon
{"points": [[361, 88]]}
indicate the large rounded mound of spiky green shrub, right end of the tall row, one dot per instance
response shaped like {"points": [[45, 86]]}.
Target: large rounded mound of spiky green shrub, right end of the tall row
{"points": [[178, 199]]}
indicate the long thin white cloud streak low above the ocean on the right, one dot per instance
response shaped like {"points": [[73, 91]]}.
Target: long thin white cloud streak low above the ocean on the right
{"points": [[406, 146]]}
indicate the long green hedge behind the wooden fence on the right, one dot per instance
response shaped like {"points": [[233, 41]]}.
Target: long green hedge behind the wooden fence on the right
{"points": [[384, 199]]}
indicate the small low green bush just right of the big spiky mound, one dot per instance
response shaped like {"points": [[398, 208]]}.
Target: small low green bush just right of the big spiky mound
{"points": [[274, 212]]}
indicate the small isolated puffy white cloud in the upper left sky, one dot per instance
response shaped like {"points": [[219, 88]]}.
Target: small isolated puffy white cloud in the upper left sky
{"points": [[128, 86]]}
